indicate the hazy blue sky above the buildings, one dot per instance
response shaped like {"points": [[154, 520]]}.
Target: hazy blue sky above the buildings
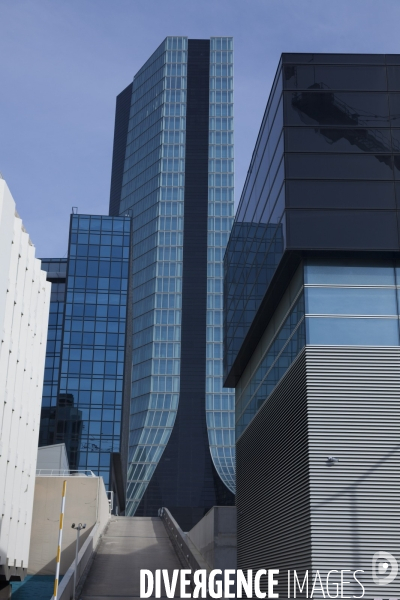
{"points": [[62, 63]]}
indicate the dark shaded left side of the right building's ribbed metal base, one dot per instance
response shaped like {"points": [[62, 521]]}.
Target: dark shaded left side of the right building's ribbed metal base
{"points": [[272, 494]]}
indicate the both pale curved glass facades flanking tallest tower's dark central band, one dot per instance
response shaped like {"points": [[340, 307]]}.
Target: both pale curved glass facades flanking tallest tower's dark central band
{"points": [[153, 190]]}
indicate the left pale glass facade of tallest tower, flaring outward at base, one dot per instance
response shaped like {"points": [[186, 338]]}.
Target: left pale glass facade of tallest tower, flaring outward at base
{"points": [[153, 192]]}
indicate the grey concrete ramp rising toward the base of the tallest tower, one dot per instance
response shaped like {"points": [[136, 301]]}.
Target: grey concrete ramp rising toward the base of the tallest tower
{"points": [[128, 545]]}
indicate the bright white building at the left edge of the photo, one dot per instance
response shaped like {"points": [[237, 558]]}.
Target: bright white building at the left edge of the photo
{"points": [[24, 311]]}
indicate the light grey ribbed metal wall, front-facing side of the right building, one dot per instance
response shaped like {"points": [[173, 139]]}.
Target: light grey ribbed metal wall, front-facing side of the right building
{"points": [[354, 415]]}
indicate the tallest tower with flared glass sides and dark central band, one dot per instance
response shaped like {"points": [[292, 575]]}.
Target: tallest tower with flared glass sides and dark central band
{"points": [[173, 173]]}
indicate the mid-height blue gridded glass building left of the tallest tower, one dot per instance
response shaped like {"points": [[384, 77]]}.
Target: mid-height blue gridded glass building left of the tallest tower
{"points": [[87, 349]]}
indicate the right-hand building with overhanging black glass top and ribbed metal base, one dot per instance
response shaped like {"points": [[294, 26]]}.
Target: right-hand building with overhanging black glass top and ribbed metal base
{"points": [[312, 323]]}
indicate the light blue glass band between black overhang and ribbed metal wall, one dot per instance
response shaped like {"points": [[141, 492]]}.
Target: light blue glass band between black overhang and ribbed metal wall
{"points": [[347, 302]]}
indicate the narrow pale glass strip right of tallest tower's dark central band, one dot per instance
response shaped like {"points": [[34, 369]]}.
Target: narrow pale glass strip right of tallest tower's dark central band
{"points": [[220, 402]]}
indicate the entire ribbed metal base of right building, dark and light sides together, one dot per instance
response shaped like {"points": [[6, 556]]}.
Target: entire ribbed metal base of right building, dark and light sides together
{"points": [[297, 510]]}
